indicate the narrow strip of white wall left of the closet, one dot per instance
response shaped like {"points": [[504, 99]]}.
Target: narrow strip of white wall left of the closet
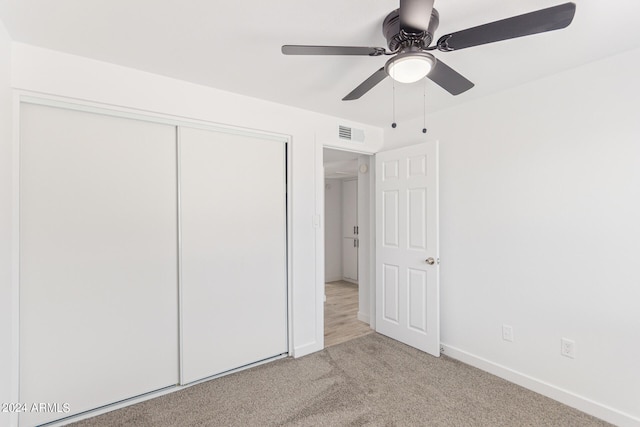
{"points": [[5, 220]]}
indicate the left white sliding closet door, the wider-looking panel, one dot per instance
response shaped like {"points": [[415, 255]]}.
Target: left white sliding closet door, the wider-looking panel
{"points": [[98, 260]]}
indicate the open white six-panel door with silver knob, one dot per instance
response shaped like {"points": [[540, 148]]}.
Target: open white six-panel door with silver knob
{"points": [[407, 270]]}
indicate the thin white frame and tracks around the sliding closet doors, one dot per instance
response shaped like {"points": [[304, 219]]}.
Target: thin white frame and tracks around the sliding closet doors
{"points": [[30, 97]]}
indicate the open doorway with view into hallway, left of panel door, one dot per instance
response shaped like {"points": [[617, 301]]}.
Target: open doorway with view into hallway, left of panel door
{"points": [[347, 285]]}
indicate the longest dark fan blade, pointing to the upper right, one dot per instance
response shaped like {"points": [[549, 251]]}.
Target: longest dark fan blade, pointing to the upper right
{"points": [[552, 18]]}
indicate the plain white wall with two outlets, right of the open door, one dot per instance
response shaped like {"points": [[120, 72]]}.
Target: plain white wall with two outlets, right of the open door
{"points": [[540, 229]]}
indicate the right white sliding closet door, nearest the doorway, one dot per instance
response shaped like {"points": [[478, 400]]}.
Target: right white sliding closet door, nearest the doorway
{"points": [[233, 281]]}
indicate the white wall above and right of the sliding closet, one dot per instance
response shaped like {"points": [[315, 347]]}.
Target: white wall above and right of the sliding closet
{"points": [[50, 72]]}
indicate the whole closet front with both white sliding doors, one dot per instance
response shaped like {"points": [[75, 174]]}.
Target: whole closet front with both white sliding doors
{"points": [[151, 254]]}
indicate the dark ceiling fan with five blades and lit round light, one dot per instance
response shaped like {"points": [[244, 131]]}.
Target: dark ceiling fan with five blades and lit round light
{"points": [[409, 31]]}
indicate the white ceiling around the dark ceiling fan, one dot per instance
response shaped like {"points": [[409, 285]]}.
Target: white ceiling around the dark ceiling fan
{"points": [[235, 45]]}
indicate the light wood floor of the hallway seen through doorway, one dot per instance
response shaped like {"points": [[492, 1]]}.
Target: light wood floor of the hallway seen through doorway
{"points": [[341, 314]]}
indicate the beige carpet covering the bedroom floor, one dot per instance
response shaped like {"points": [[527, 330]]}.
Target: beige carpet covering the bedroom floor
{"points": [[369, 381]]}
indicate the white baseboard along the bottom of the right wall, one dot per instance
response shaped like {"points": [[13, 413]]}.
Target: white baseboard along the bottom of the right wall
{"points": [[581, 403]]}
